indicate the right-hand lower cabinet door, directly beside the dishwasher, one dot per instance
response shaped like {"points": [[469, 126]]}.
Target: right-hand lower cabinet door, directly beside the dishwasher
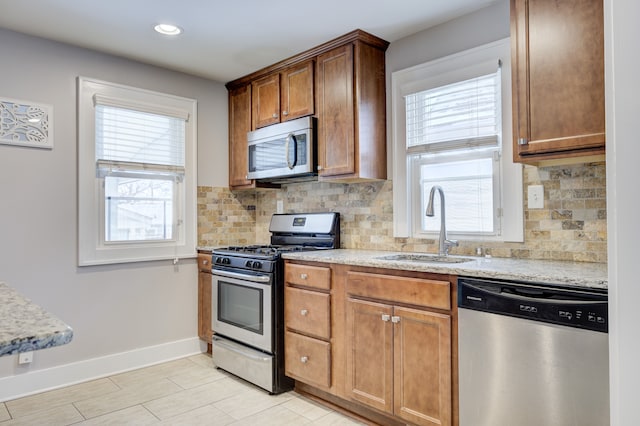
{"points": [[422, 366]]}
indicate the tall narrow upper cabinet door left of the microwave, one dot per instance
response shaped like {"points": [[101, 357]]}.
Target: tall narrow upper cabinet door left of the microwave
{"points": [[239, 125]]}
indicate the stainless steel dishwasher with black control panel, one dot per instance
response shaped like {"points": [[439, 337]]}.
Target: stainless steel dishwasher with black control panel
{"points": [[532, 354]]}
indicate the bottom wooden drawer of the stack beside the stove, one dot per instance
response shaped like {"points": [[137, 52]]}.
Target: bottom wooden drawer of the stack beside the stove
{"points": [[307, 359]]}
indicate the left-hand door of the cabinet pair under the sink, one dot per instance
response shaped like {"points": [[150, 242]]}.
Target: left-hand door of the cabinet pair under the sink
{"points": [[369, 344]]}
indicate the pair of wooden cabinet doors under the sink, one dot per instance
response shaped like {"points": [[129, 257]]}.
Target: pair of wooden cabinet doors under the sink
{"points": [[399, 361]]}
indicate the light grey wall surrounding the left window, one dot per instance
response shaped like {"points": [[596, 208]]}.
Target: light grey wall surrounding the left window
{"points": [[112, 309]]}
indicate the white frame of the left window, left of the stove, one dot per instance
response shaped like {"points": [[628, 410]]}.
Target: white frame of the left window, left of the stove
{"points": [[92, 249]]}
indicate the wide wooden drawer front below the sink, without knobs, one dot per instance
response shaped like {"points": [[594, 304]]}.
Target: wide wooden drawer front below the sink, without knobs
{"points": [[412, 291]]}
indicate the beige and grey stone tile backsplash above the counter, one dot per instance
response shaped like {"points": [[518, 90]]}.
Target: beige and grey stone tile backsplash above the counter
{"points": [[571, 226]]}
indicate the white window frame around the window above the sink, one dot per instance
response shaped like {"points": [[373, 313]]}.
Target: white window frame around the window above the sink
{"points": [[450, 69]]}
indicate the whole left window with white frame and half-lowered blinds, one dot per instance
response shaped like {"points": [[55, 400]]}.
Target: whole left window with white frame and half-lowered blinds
{"points": [[136, 191]]}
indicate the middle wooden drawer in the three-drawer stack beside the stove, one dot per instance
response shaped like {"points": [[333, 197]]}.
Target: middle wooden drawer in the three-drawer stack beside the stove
{"points": [[307, 312]]}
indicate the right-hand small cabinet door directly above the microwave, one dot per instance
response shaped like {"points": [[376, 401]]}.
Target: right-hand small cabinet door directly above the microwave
{"points": [[296, 91]]}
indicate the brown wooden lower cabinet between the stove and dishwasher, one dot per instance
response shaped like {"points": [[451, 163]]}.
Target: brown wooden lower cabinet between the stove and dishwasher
{"points": [[392, 351]]}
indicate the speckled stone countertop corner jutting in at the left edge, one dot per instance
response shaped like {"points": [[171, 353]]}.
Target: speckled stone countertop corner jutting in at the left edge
{"points": [[25, 326]]}
